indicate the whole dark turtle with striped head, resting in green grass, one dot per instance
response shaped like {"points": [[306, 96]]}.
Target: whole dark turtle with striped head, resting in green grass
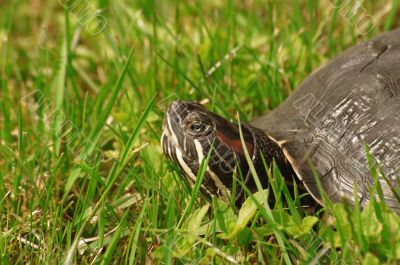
{"points": [[342, 120]]}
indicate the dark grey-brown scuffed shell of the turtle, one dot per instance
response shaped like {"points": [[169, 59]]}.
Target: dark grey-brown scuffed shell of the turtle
{"points": [[350, 104]]}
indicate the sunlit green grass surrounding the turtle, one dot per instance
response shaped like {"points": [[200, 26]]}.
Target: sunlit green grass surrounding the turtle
{"points": [[82, 176]]}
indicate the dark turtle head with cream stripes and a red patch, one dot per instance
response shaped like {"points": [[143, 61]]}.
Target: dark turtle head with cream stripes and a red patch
{"points": [[191, 132]]}
